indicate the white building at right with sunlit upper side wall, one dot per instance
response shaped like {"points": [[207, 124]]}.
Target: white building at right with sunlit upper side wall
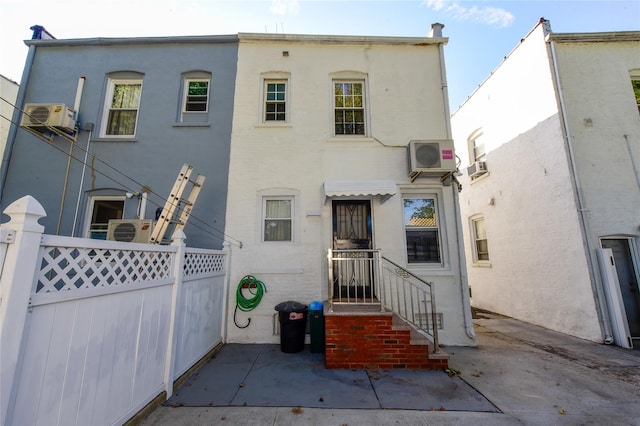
{"points": [[558, 128]]}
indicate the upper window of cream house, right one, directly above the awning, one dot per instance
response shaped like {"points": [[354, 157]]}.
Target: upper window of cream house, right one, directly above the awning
{"points": [[349, 107]]}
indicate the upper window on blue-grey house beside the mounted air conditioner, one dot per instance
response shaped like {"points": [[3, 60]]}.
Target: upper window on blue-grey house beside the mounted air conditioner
{"points": [[122, 105]]}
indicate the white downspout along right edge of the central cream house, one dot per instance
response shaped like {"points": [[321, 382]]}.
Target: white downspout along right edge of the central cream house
{"points": [[436, 31]]}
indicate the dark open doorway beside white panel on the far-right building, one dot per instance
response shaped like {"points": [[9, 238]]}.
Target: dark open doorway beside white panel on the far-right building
{"points": [[628, 279]]}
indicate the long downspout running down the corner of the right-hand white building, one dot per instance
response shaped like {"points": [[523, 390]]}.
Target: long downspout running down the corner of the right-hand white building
{"points": [[601, 307]]}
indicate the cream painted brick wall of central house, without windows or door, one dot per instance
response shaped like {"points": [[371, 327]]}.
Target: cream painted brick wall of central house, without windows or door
{"points": [[404, 102]]}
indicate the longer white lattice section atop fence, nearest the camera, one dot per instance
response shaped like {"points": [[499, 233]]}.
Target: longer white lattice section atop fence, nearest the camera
{"points": [[71, 268]]}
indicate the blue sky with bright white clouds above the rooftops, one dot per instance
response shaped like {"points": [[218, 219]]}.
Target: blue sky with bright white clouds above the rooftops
{"points": [[480, 33]]}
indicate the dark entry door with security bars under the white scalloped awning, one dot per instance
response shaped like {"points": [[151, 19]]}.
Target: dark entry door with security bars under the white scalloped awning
{"points": [[353, 278]]}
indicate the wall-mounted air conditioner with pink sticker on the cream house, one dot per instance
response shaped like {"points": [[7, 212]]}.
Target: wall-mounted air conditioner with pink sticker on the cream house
{"points": [[431, 157]]}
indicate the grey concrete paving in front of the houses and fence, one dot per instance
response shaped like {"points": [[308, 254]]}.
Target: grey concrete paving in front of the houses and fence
{"points": [[518, 374]]}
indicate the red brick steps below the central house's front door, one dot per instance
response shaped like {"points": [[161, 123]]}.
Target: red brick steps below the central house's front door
{"points": [[376, 340]]}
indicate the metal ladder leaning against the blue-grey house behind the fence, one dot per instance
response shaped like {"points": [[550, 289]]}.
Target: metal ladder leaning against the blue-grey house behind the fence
{"points": [[177, 210]]}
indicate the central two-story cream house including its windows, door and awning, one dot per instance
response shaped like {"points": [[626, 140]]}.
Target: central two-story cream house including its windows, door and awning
{"points": [[305, 167]]}
